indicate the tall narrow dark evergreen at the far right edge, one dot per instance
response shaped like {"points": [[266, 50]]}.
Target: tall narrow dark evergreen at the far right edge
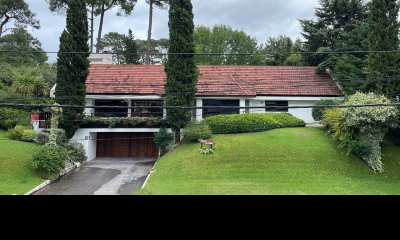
{"points": [[383, 36]]}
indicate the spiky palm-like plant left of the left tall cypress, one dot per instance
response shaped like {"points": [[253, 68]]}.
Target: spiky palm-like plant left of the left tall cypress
{"points": [[29, 84]]}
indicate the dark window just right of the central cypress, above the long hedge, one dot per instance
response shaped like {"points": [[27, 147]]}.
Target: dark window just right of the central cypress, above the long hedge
{"points": [[207, 112]]}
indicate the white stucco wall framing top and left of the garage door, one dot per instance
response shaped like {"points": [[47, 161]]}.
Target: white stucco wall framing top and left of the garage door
{"points": [[88, 137]]}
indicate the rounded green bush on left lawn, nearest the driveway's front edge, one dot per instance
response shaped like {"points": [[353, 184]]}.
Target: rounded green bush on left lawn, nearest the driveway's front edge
{"points": [[49, 160]]}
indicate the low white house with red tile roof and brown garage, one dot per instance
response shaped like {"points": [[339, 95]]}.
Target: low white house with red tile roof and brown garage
{"points": [[230, 86]]}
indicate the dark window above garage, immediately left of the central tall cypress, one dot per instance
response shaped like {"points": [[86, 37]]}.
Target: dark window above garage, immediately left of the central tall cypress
{"points": [[148, 112]]}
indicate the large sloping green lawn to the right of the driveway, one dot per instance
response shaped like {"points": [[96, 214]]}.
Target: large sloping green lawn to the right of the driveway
{"points": [[281, 161]]}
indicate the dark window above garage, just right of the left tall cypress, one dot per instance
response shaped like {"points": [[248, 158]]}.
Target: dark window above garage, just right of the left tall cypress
{"points": [[111, 112]]}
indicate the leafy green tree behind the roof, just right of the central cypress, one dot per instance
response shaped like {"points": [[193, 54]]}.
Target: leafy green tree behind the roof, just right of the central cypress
{"points": [[223, 39]]}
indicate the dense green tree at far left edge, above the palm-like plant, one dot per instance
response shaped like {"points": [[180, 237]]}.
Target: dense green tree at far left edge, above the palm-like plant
{"points": [[22, 48]]}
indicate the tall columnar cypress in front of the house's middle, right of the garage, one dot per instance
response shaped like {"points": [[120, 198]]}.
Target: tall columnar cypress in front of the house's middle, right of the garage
{"points": [[180, 88]]}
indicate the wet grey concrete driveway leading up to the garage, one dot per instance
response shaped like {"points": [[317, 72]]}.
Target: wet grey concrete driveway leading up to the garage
{"points": [[103, 176]]}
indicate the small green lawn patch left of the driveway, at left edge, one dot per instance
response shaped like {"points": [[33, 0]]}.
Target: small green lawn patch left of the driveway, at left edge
{"points": [[16, 174]]}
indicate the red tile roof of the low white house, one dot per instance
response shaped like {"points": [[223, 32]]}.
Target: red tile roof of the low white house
{"points": [[214, 81]]}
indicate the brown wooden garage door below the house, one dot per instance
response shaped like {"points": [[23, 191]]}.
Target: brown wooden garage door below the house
{"points": [[126, 145]]}
